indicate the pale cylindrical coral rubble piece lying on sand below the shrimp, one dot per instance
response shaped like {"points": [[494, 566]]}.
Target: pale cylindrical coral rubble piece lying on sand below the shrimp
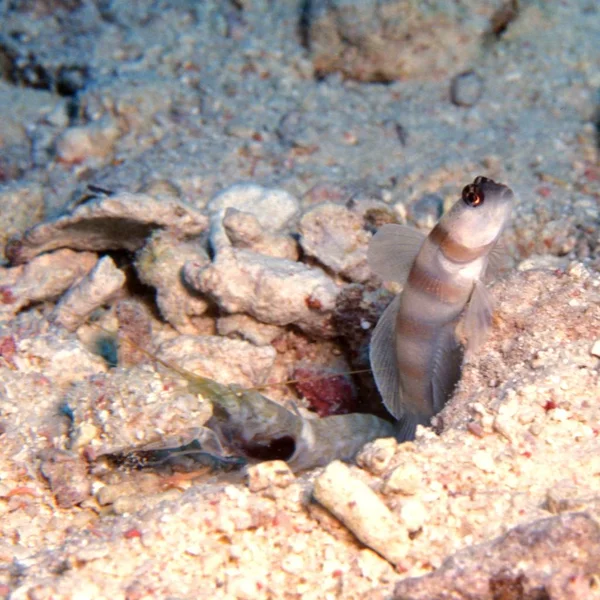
{"points": [[361, 510]]}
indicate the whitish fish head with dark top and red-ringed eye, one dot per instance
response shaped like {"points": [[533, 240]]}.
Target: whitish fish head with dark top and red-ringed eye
{"points": [[481, 214]]}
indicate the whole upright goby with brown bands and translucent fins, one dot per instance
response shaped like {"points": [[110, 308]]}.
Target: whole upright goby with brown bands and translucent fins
{"points": [[415, 352]]}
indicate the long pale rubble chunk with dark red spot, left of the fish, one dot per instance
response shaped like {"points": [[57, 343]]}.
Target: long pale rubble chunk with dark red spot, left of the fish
{"points": [[272, 290]]}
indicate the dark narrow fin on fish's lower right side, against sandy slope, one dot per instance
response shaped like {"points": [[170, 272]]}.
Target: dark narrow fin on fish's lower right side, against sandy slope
{"points": [[446, 367]]}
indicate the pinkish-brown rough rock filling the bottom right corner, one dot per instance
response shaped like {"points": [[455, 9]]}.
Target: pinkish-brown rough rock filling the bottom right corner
{"points": [[553, 558]]}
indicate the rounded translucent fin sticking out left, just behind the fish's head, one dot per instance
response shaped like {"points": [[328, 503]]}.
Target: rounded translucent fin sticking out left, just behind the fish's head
{"points": [[393, 250]]}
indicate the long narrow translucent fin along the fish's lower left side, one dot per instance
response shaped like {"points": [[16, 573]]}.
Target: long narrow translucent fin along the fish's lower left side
{"points": [[382, 354]]}
